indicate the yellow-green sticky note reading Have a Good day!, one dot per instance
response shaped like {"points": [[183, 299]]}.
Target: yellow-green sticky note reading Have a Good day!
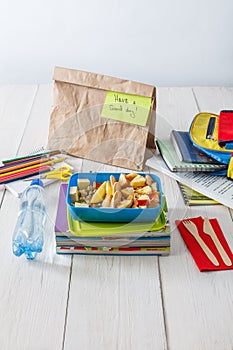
{"points": [[127, 108]]}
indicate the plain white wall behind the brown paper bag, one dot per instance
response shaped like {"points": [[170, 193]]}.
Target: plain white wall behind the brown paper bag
{"points": [[162, 42]]}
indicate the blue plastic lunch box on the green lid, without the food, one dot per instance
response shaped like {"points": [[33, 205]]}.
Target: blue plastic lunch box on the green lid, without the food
{"points": [[111, 214]]}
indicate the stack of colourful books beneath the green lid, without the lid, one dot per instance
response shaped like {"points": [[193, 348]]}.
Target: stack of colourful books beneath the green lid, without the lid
{"points": [[154, 242]]}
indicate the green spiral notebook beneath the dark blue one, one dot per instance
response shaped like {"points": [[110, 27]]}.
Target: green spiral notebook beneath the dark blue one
{"points": [[173, 162]]}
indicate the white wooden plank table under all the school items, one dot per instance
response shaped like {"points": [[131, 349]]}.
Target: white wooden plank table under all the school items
{"points": [[84, 302]]}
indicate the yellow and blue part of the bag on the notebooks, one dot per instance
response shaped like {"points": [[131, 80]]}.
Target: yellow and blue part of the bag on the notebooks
{"points": [[203, 133]]}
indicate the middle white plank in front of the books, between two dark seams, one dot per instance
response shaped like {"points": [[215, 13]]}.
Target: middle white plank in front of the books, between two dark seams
{"points": [[114, 302]]}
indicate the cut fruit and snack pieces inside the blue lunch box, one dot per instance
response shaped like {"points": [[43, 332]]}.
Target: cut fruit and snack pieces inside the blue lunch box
{"points": [[130, 191]]}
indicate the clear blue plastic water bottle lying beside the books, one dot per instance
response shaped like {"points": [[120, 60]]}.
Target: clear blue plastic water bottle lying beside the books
{"points": [[28, 236]]}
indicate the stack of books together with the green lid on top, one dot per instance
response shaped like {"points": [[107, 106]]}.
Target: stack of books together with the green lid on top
{"points": [[74, 237]]}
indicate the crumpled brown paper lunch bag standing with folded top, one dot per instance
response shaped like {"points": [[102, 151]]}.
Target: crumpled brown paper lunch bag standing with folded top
{"points": [[76, 125]]}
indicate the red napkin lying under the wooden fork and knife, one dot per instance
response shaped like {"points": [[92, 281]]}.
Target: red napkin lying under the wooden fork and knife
{"points": [[202, 261]]}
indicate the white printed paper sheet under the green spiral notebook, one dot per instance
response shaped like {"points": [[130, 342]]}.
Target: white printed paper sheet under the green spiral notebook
{"points": [[218, 188]]}
